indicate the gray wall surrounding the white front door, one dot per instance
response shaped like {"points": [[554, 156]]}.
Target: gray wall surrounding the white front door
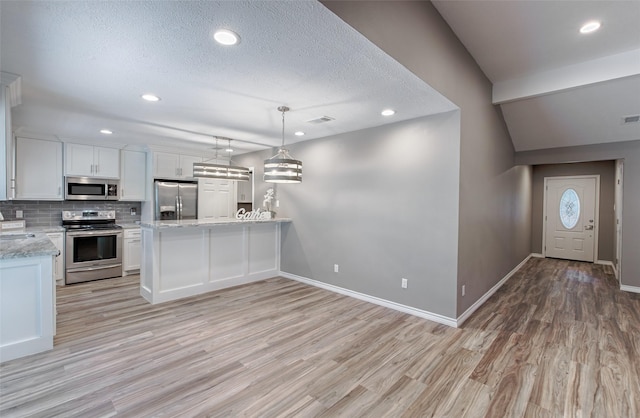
{"points": [[606, 170]]}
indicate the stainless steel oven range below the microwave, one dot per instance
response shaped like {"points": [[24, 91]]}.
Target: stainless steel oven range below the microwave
{"points": [[93, 245]]}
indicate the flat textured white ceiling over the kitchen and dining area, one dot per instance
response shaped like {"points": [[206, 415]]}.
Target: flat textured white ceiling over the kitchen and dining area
{"points": [[85, 64]]}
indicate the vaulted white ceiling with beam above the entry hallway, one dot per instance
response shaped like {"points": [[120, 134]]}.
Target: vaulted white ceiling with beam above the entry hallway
{"points": [[556, 87]]}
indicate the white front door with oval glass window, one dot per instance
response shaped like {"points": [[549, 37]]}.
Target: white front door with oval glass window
{"points": [[571, 217]]}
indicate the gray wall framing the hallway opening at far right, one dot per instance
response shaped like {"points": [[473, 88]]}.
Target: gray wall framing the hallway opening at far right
{"points": [[630, 153]]}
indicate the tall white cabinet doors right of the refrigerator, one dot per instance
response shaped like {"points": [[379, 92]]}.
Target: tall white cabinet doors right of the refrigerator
{"points": [[216, 199]]}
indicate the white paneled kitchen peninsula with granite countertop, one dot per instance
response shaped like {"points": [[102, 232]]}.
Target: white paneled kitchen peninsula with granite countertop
{"points": [[189, 257]]}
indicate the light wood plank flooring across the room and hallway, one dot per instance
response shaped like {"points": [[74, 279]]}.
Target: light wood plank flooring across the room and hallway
{"points": [[558, 340]]}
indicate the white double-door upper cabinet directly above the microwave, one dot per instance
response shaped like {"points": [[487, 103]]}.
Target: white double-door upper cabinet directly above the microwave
{"points": [[91, 161]]}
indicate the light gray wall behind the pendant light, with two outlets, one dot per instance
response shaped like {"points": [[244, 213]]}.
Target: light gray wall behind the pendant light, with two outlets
{"points": [[383, 204]]}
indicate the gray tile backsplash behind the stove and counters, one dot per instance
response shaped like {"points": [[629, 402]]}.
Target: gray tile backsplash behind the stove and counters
{"points": [[48, 213]]}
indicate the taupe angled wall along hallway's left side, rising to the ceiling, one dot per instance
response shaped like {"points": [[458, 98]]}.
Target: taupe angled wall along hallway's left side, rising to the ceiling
{"points": [[495, 198]]}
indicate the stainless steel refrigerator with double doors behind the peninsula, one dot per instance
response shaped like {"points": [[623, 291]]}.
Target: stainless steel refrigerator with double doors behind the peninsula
{"points": [[176, 200]]}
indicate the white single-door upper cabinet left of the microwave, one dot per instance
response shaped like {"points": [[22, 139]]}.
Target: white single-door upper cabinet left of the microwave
{"points": [[38, 170]]}
